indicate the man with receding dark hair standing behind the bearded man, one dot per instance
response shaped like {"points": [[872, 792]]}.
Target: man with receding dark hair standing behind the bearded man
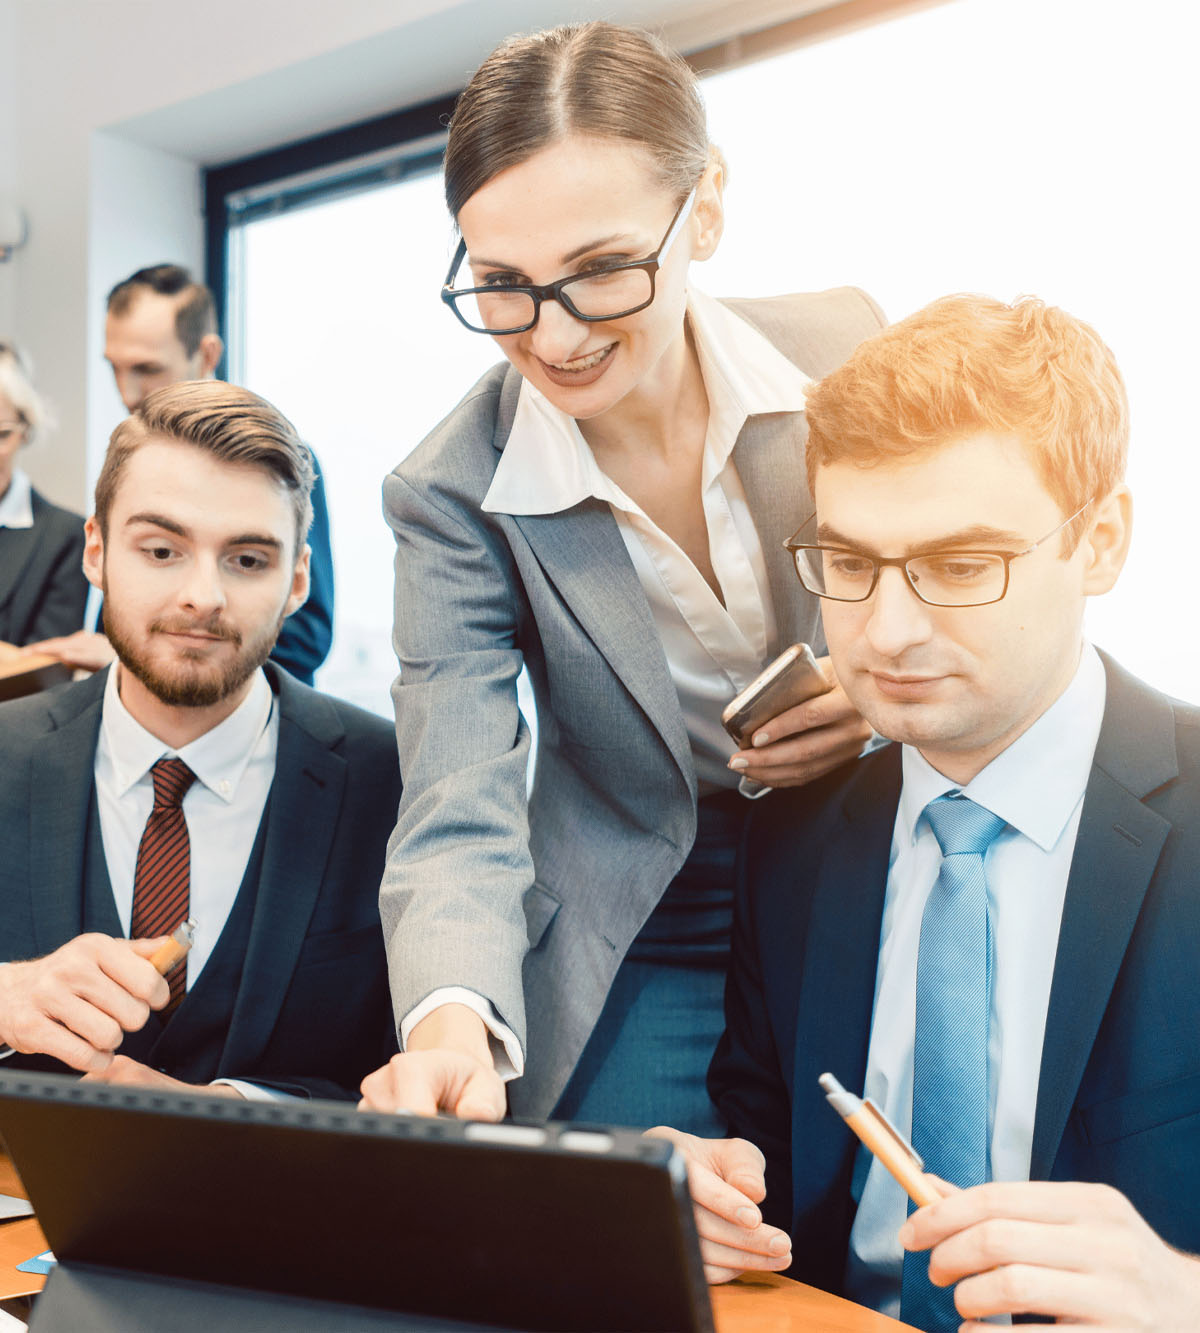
{"points": [[162, 330]]}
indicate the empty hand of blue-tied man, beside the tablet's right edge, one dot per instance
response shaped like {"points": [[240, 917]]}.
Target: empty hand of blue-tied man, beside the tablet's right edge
{"points": [[726, 1179]]}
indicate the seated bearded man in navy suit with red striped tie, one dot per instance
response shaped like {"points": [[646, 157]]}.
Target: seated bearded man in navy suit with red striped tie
{"points": [[191, 780]]}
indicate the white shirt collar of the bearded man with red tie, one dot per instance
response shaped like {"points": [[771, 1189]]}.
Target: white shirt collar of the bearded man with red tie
{"points": [[219, 758]]}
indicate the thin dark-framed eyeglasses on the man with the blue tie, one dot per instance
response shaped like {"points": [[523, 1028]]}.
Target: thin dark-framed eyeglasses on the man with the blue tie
{"points": [[939, 579]]}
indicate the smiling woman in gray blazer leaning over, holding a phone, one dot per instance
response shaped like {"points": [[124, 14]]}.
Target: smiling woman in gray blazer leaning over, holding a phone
{"points": [[605, 511]]}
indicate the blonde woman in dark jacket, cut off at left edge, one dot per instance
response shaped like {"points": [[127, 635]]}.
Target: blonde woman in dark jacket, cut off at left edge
{"points": [[43, 591]]}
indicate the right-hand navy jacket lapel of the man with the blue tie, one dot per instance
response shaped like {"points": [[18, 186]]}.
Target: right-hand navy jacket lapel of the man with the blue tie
{"points": [[1117, 851]]}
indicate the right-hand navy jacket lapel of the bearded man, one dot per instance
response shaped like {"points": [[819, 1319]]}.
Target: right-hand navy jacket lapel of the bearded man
{"points": [[302, 814]]}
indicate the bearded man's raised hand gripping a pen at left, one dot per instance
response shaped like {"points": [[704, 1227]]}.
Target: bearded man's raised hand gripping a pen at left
{"points": [[78, 1003]]}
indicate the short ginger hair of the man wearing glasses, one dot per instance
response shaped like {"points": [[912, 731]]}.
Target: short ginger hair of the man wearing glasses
{"points": [[969, 365]]}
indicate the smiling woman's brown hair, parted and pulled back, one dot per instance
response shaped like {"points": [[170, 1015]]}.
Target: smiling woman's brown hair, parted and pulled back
{"points": [[589, 78]]}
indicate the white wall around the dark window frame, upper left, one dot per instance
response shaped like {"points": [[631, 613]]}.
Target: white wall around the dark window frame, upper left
{"points": [[109, 109]]}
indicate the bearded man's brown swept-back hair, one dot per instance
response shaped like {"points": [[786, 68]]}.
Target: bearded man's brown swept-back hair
{"points": [[227, 422]]}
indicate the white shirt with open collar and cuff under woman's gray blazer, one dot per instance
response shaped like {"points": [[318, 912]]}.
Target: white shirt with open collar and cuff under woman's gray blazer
{"points": [[713, 651]]}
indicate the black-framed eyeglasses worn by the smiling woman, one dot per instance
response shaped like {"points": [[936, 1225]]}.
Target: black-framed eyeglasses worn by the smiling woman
{"points": [[603, 294]]}
